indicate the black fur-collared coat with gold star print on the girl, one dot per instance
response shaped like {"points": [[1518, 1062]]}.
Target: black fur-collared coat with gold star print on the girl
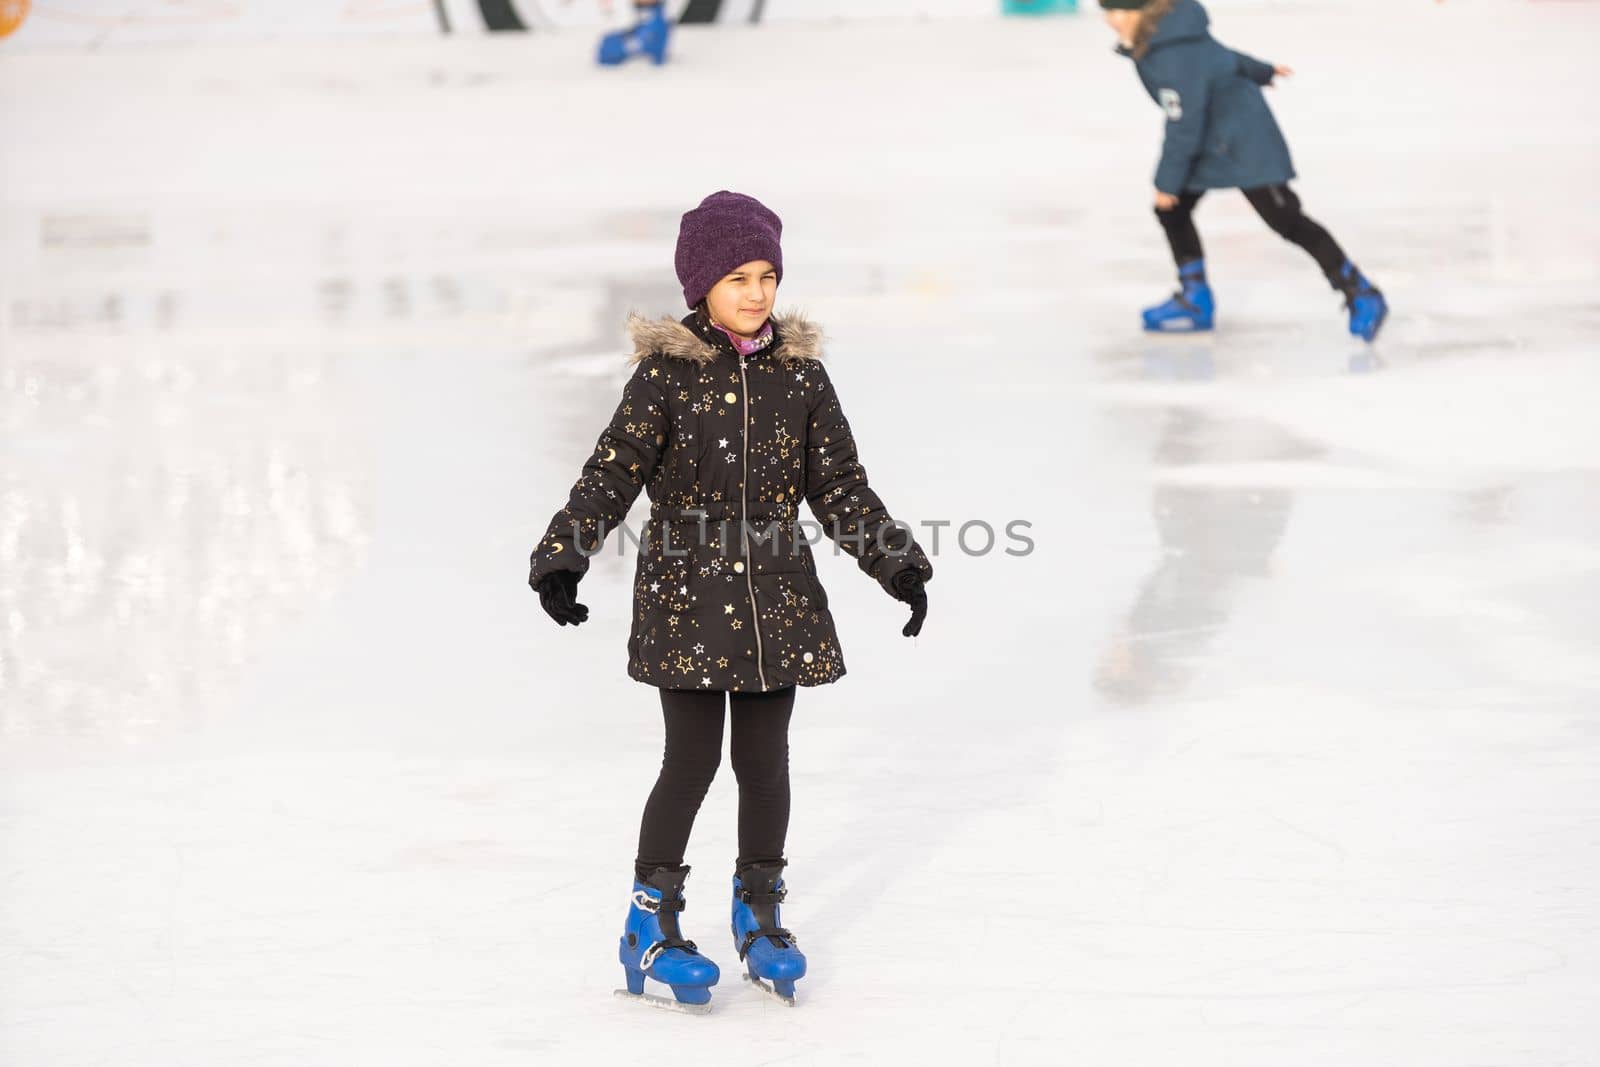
{"points": [[713, 438]]}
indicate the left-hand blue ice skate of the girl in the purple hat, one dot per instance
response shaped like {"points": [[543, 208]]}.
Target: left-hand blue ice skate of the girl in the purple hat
{"points": [[654, 946]]}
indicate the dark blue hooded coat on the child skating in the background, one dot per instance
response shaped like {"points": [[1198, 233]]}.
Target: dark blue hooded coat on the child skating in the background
{"points": [[1220, 130]]}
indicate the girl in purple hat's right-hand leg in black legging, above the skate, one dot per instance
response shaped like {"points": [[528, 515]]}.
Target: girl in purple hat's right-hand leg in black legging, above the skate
{"points": [[761, 761]]}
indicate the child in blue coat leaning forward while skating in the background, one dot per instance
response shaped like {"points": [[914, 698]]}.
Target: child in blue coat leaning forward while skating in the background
{"points": [[1222, 135]]}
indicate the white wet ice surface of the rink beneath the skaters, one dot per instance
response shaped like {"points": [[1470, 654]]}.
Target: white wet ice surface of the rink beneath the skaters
{"points": [[1281, 748]]}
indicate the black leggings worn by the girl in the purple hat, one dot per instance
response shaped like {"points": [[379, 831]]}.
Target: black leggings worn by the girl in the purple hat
{"points": [[761, 761]]}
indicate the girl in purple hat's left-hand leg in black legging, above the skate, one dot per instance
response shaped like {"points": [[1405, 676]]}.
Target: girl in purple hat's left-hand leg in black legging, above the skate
{"points": [[689, 764]]}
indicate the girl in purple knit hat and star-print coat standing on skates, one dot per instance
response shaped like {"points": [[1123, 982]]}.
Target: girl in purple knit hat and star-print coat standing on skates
{"points": [[727, 422]]}
